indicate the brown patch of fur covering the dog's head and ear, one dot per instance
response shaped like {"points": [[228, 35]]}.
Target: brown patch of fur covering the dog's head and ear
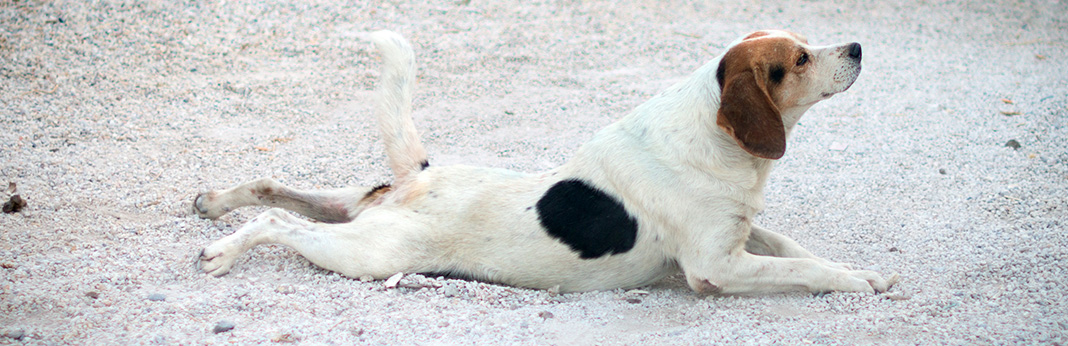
{"points": [[751, 75]]}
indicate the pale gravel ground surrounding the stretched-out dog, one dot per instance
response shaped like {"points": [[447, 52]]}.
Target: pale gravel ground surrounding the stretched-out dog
{"points": [[947, 163]]}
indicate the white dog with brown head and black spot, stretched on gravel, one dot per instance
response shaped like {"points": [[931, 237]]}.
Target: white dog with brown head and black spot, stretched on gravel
{"points": [[672, 186]]}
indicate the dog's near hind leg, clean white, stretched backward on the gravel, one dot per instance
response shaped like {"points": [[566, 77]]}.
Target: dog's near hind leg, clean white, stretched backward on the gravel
{"points": [[379, 244]]}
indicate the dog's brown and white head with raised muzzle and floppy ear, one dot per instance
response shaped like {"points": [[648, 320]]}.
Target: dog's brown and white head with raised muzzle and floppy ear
{"points": [[769, 75]]}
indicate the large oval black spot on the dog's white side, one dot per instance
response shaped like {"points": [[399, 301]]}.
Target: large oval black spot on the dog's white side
{"points": [[587, 219]]}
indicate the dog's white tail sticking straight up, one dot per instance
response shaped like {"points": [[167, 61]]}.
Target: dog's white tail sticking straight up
{"points": [[403, 147]]}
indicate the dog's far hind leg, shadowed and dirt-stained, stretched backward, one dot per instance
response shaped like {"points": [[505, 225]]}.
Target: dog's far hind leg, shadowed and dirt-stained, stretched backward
{"points": [[334, 207]]}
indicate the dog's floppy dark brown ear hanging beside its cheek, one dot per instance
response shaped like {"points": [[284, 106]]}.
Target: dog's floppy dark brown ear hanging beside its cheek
{"points": [[749, 116]]}
